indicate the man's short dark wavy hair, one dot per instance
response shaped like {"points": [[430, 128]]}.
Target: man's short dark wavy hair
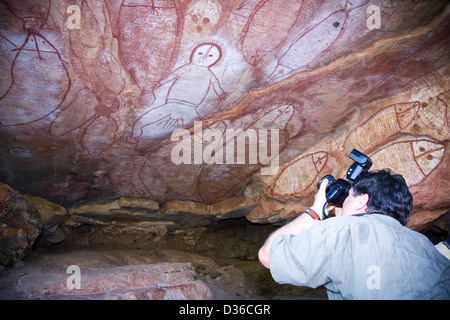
{"points": [[388, 194]]}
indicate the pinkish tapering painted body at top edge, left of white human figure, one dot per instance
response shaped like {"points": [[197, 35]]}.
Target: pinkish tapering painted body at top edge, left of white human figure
{"points": [[149, 38]]}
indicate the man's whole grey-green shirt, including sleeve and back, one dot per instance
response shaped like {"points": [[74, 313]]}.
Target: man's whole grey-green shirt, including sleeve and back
{"points": [[362, 257]]}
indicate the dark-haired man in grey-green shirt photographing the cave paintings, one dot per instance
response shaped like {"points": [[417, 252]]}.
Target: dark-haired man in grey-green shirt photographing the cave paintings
{"points": [[365, 252]]}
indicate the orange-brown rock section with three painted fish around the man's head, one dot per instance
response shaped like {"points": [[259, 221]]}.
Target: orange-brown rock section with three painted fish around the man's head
{"points": [[403, 133]]}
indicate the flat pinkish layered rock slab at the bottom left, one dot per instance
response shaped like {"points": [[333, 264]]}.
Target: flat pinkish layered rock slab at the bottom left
{"points": [[138, 282]]}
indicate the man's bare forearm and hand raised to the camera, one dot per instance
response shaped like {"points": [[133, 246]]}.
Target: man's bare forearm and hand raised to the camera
{"points": [[295, 227]]}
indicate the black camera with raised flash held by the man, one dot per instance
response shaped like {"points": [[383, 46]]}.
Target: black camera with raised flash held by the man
{"points": [[337, 190]]}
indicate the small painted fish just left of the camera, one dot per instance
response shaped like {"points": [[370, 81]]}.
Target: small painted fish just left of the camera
{"points": [[300, 175]]}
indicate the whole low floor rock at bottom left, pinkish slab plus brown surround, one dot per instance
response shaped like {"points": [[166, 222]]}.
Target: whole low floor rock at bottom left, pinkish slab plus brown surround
{"points": [[124, 275]]}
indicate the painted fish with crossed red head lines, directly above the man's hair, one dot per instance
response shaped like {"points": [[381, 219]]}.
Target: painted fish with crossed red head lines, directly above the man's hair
{"points": [[414, 159]]}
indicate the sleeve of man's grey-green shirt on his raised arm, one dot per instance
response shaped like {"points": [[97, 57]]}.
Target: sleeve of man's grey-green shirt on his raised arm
{"points": [[303, 260]]}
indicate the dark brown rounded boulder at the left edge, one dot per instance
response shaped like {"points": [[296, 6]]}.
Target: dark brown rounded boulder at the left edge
{"points": [[20, 225]]}
